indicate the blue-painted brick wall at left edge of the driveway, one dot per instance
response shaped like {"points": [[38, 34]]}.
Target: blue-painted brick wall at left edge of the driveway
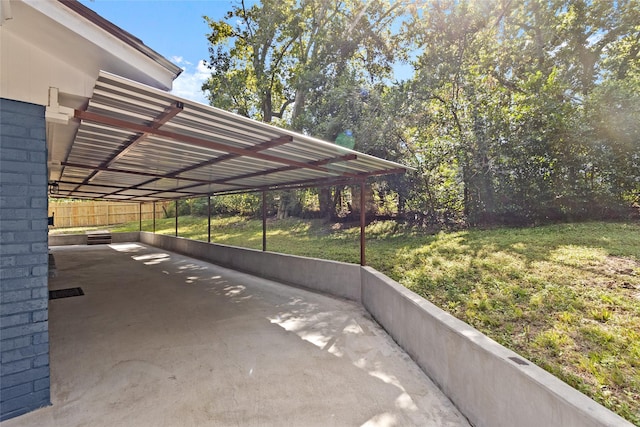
{"points": [[24, 336]]}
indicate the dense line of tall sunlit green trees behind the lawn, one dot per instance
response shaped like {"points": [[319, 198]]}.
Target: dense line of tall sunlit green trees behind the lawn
{"points": [[512, 111]]}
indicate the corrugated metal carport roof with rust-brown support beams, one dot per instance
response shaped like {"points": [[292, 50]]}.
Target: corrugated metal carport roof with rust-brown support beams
{"points": [[138, 143]]}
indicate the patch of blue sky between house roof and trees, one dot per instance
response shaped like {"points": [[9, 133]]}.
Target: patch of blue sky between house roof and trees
{"points": [[173, 28]]}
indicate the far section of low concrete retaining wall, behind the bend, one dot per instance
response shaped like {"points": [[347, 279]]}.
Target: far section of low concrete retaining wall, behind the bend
{"points": [[335, 278]]}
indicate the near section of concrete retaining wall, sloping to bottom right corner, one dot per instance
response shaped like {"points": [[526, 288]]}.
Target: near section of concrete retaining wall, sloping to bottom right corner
{"points": [[491, 385]]}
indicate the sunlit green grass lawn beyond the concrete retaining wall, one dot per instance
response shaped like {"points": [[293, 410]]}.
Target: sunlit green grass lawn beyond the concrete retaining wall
{"points": [[564, 296]]}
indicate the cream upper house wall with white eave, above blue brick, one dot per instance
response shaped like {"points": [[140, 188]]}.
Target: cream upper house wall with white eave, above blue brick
{"points": [[47, 44]]}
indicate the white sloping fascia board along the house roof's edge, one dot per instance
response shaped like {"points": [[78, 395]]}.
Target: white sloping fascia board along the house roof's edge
{"points": [[91, 32]]}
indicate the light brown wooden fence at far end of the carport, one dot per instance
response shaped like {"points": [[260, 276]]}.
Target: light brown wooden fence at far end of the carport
{"points": [[98, 214]]}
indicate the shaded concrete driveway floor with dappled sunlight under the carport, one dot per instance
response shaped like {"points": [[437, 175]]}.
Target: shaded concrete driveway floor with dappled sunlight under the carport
{"points": [[160, 339]]}
